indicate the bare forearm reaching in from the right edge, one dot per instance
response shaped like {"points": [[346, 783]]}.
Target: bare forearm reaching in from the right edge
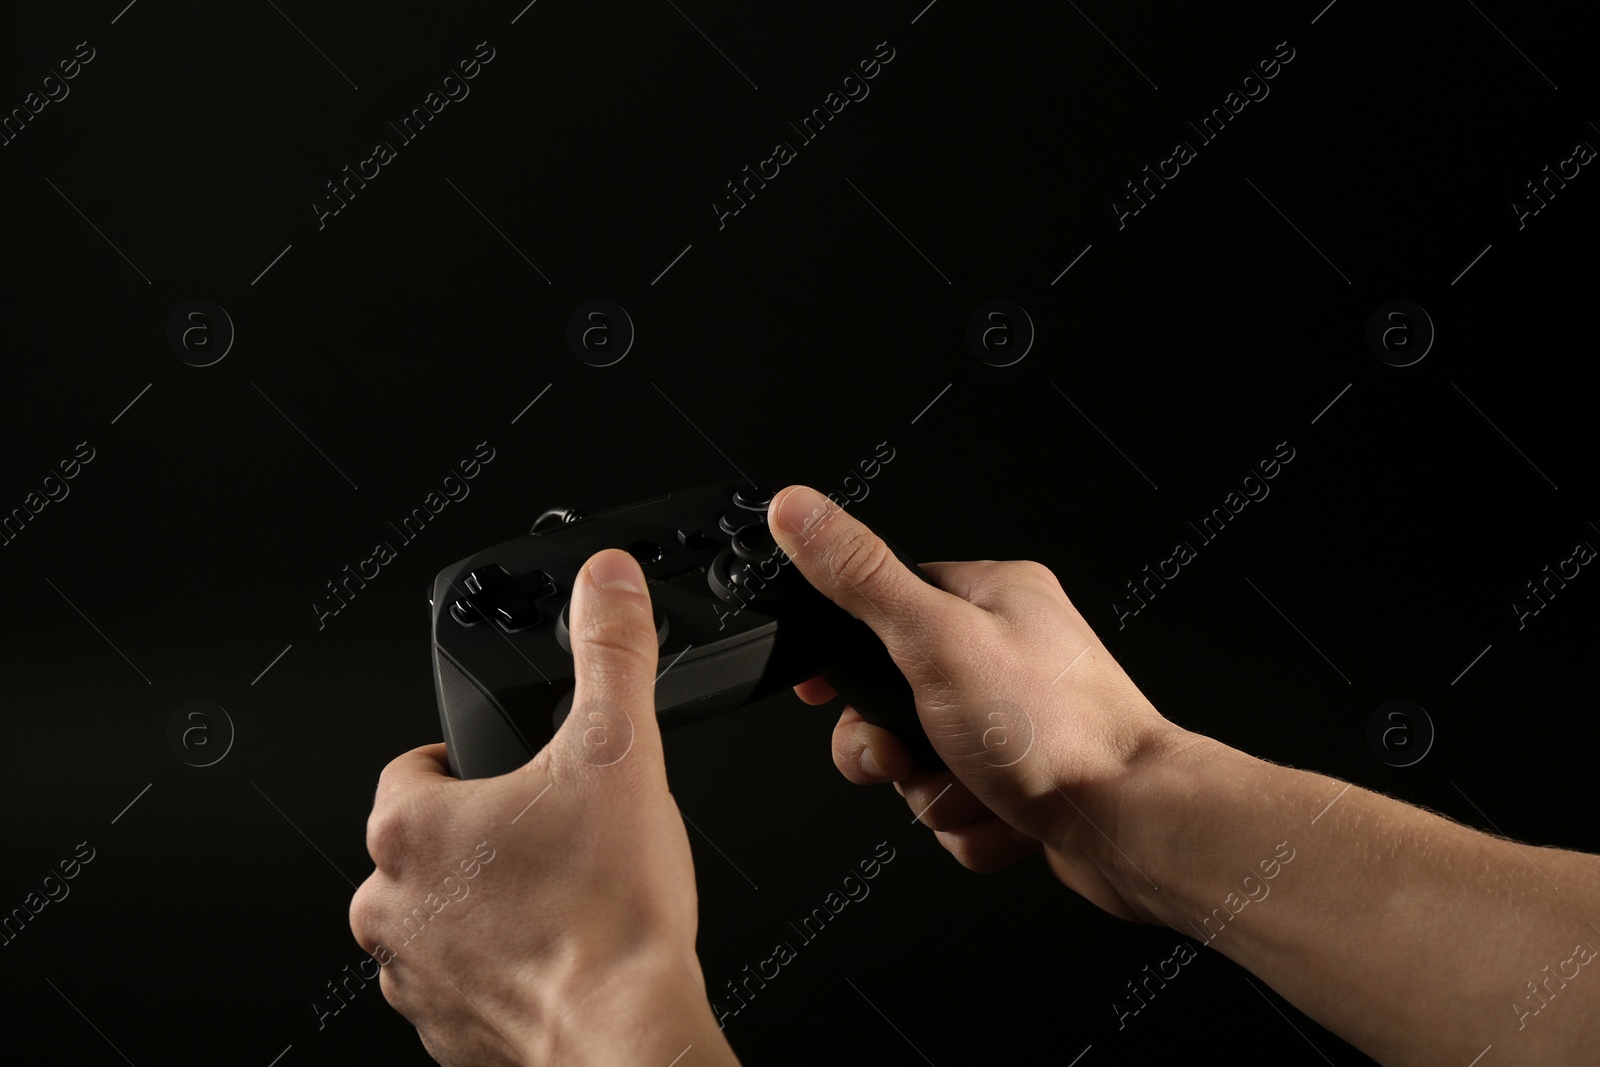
{"points": [[1409, 935]]}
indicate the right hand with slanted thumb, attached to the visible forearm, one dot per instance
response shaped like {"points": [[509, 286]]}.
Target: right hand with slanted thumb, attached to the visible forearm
{"points": [[1017, 693]]}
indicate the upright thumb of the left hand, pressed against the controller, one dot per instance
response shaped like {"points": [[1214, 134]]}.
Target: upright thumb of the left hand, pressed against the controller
{"points": [[614, 637]]}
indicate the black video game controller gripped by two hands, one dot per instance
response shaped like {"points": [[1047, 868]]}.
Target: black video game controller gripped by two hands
{"points": [[735, 621]]}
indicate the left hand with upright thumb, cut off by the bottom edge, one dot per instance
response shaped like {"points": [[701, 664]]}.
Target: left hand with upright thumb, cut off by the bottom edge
{"points": [[548, 914]]}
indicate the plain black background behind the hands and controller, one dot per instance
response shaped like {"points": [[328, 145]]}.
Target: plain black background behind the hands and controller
{"points": [[823, 319]]}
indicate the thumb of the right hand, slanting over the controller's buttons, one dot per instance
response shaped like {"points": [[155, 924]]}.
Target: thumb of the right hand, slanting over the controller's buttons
{"points": [[858, 572]]}
